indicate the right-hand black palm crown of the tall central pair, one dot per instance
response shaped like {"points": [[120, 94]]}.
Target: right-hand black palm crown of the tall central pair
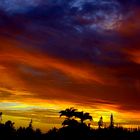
{"points": [[83, 116]]}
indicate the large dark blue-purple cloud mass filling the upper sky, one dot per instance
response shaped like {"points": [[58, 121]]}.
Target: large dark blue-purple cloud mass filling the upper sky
{"points": [[73, 29]]}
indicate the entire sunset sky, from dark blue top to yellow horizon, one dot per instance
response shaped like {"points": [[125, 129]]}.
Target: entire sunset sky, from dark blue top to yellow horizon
{"points": [[56, 54]]}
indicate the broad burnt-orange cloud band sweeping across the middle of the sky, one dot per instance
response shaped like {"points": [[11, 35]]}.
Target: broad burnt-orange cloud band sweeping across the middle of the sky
{"points": [[44, 76]]}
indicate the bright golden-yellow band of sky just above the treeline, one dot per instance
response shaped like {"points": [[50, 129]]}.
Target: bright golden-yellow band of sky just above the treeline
{"points": [[45, 115]]}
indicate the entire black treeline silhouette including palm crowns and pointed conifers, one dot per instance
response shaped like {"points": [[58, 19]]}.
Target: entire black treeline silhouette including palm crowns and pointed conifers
{"points": [[74, 127]]}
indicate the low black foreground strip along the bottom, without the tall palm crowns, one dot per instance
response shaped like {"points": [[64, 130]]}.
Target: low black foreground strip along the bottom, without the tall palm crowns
{"points": [[73, 132]]}
